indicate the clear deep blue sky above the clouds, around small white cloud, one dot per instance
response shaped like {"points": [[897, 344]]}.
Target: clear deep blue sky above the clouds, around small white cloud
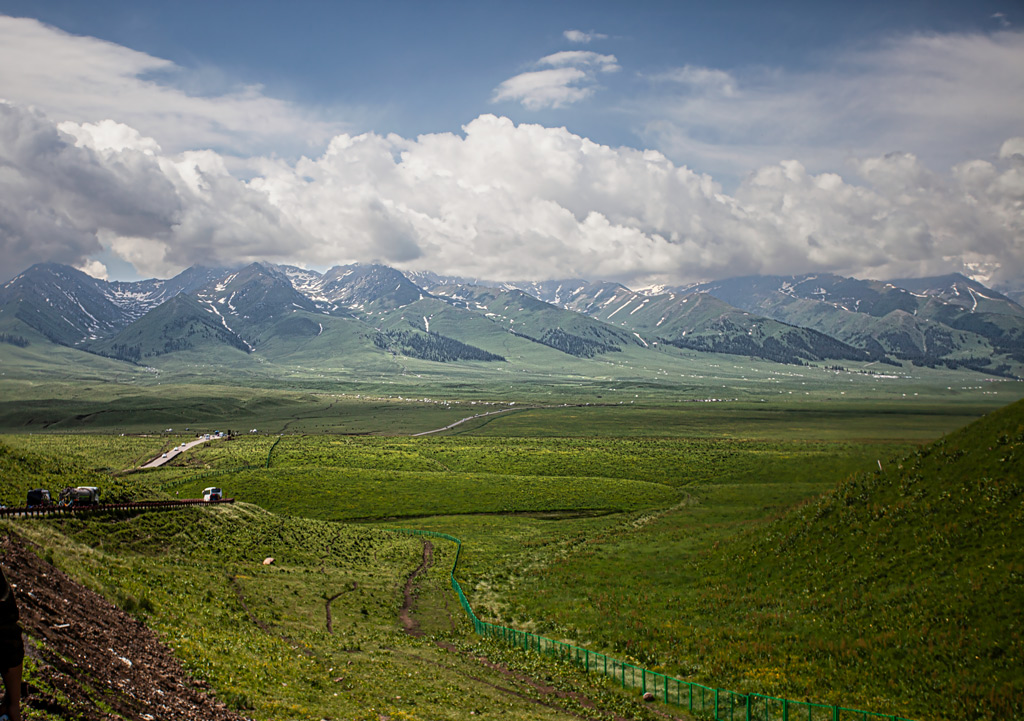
{"points": [[413, 68]]}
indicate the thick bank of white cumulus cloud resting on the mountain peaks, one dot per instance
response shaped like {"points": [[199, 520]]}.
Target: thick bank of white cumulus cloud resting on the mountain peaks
{"points": [[501, 201]]}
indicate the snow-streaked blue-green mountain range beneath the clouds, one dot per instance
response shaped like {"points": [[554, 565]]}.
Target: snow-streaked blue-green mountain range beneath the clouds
{"points": [[281, 312]]}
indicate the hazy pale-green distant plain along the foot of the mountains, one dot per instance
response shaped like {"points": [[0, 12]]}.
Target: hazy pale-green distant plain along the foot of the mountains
{"points": [[99, 396]]}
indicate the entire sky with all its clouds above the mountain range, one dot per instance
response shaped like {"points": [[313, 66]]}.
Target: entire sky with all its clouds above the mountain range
{"points": [[648, 143]]}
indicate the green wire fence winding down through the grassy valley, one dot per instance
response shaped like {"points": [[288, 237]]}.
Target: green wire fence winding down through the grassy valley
{"points": [[720, 704]]}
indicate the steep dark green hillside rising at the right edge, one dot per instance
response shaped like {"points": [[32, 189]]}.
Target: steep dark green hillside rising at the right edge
{"points": [[913, 574]]}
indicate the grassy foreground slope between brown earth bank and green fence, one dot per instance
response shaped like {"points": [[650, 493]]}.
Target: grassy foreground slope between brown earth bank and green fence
{"points": [[259, 634]]}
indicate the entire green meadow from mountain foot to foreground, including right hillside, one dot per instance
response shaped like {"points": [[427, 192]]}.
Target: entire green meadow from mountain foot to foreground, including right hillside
{"points": [[846, 544]]}
